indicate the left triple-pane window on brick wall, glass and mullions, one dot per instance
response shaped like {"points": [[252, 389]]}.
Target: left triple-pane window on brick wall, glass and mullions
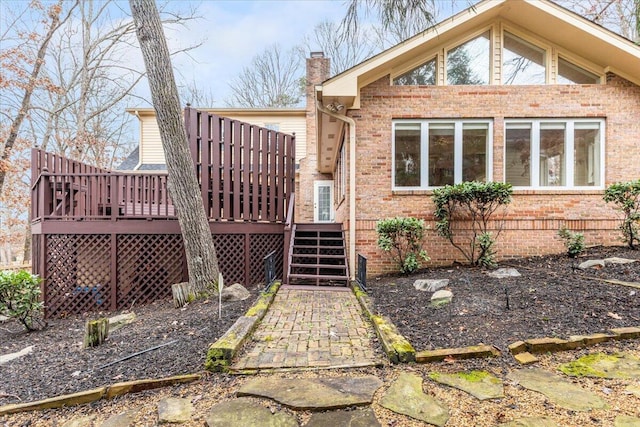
{"points": [[440, 152]]}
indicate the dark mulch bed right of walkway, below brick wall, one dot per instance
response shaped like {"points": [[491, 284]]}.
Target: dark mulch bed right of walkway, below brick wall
{"points": [[551, 299]]}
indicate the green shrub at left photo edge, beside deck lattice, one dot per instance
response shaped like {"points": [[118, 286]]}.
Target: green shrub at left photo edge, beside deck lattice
{"points": [[20, 297]]}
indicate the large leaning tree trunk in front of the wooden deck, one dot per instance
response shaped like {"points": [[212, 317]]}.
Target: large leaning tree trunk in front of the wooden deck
{"points": [[202, 261]]}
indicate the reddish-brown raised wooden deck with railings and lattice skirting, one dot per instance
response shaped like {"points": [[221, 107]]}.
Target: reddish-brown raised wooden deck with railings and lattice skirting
{"points": [[103, 239]]}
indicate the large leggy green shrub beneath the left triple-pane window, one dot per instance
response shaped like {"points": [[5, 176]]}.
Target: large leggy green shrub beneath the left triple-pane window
{"points": [[475, 202]]}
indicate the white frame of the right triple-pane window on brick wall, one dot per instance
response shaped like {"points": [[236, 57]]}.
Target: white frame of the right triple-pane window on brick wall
{"points": [[569, 160]]}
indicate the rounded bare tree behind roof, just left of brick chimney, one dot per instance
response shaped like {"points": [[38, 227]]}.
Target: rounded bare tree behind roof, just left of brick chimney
{"points": [[274, 79]]}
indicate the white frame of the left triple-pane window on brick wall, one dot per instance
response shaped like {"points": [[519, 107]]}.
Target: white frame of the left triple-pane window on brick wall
{"points": [[457, 150]]}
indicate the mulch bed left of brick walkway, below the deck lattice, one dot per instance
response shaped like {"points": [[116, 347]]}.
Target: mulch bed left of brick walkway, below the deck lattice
{"points": [[60, 365]]}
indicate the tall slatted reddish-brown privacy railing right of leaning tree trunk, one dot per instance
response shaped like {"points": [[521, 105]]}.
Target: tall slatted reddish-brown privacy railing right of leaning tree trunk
{"points": [[246, 172]]}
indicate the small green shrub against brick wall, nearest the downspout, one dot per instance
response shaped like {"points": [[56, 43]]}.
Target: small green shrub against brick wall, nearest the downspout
{"points": [[403, 239]]}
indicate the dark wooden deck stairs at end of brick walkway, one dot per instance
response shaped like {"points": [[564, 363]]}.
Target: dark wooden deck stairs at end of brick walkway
{"points": [[318, 256]]}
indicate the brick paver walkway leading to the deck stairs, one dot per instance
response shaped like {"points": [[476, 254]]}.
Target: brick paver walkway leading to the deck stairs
{"points": [[311, 328]]}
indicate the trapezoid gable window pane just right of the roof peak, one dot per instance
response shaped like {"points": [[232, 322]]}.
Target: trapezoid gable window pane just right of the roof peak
{"points": [[522, 62]]}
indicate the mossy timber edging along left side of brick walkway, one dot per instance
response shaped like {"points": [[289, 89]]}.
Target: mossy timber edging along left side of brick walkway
{"points": [[221, 352]]}
